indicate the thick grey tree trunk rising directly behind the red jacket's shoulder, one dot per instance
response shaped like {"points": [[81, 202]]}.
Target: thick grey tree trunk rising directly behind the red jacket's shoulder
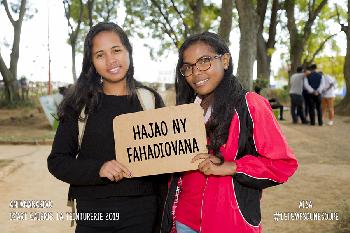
{"points": [[247, 53]]}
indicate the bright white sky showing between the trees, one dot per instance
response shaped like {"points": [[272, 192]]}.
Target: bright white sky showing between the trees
{"points": [[33, 62]]}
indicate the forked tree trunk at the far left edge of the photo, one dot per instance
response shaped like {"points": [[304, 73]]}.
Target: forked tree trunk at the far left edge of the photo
{"points": [[10, 74]]}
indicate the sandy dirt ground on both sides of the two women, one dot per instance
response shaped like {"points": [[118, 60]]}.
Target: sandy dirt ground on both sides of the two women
{"points": [[322, 178]]}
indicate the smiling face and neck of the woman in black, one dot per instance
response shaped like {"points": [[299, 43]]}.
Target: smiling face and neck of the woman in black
{"points": [[111, 61]]}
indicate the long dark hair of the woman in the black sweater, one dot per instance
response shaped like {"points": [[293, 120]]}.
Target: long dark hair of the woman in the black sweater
{"points": [[87, 92]]}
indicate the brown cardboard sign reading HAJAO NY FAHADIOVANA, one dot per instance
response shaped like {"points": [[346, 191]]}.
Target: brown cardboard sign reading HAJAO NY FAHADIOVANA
{"points": [[161, 140]]}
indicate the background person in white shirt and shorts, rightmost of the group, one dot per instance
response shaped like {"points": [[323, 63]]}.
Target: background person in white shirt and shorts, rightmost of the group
{"points": [[328, 95]]}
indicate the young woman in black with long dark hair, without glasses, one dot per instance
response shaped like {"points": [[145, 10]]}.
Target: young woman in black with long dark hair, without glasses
{"points": [[108, 198]]}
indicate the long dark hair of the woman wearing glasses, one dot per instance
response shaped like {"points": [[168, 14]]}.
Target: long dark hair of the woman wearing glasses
{"points": [[227, 95]]}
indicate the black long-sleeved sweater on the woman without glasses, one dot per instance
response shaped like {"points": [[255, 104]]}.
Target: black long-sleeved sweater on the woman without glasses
{"points": [[97, 147]]}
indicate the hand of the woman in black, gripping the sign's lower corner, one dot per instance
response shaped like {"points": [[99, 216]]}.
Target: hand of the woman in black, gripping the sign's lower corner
{"points": [[114, 171]]}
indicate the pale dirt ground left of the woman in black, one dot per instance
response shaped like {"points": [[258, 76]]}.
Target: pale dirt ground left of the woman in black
{"points": [[31, 181]]}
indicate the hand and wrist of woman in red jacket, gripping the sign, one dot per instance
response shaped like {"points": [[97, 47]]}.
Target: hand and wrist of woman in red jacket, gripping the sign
{"points": [[211, 165]]}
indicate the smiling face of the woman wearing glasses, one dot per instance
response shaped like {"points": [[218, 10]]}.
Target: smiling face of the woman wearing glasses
{"points": [[205, 82]]}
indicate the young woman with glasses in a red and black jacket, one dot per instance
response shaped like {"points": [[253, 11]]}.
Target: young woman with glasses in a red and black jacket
{"points": [[246, 149]]}
